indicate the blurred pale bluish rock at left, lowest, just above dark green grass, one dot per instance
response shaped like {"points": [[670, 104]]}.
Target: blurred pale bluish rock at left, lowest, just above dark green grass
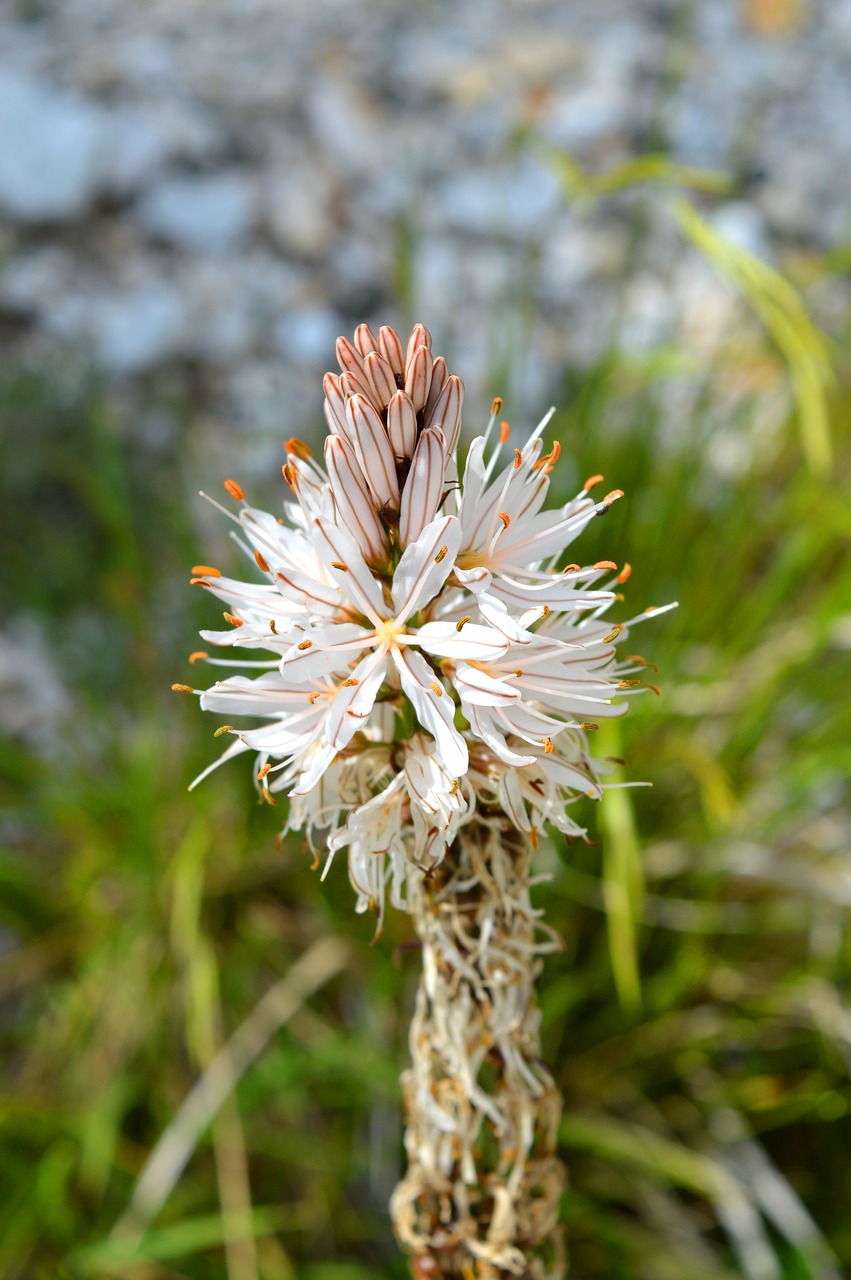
{"points": [[141, 328]]}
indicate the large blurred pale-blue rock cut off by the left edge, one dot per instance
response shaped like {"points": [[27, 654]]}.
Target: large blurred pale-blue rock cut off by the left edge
{"points": [[51, 152]]}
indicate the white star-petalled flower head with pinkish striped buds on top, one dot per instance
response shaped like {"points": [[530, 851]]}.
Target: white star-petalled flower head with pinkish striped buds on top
{"points": [[411, 623]]}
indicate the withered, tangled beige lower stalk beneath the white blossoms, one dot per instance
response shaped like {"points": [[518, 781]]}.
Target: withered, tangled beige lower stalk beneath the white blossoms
{"points": [[482, 1195]]}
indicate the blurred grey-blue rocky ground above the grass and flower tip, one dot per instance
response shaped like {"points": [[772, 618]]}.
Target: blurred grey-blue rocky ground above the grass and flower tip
{"points": [[219, 188]]}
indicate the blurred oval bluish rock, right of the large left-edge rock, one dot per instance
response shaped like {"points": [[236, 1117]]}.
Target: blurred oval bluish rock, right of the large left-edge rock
{"points": [[211, 214]]}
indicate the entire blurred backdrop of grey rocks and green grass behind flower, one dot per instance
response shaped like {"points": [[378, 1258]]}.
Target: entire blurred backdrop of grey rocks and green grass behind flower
{"points": [[638, 212]]}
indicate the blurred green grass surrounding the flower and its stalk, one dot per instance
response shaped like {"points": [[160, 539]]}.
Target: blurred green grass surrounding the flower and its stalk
{"points": [[697, 1016]]}
